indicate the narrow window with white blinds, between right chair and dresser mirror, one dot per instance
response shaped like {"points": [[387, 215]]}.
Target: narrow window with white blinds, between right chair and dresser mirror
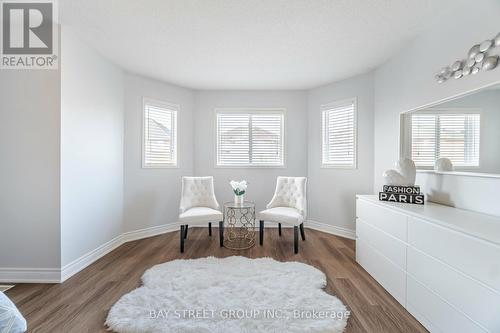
{"points": [[339, 134]]}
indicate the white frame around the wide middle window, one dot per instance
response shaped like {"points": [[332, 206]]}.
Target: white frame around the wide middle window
{"points": [[250, 110]]}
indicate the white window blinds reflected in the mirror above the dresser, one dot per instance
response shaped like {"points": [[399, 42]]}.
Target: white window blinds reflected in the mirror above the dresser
{"points": [[454, 136]]}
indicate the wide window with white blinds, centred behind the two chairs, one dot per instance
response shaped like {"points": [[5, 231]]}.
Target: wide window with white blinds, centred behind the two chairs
{"points": [[250, 138]]}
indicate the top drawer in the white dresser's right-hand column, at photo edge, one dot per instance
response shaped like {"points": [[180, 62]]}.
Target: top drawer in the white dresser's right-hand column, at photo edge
{"points": [[474, 257]]}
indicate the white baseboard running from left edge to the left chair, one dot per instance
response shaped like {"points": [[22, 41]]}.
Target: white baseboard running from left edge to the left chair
{"points": [[59, 275]]}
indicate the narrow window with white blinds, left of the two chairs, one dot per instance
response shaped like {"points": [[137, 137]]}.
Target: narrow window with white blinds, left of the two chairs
{"points": [[160, 134]]}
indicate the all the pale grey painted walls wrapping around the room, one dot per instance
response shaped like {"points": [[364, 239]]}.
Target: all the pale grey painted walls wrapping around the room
{"points": [[96, 147]]}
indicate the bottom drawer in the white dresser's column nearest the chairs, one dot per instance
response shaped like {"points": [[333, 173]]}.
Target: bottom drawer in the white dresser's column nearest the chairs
{"points": [[391, 277]]}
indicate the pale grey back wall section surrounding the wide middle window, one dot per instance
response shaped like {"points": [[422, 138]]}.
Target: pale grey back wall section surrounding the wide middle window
{"points": [[262, 180]]}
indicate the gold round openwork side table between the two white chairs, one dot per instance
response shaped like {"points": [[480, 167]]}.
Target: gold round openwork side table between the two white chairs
{"points": [[239, 225]]}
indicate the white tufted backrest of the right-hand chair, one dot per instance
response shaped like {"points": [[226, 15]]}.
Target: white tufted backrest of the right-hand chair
{"points": [[290, 192]]}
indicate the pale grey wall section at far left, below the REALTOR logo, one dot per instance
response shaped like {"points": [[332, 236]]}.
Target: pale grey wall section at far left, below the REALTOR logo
{"points": [[29, 169]]}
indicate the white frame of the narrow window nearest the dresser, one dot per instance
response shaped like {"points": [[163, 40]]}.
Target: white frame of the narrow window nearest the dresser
{"points": [[324, 108]]}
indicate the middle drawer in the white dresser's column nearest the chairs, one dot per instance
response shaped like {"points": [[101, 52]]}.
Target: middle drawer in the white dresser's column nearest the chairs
{"points": [[390, 247]]}
